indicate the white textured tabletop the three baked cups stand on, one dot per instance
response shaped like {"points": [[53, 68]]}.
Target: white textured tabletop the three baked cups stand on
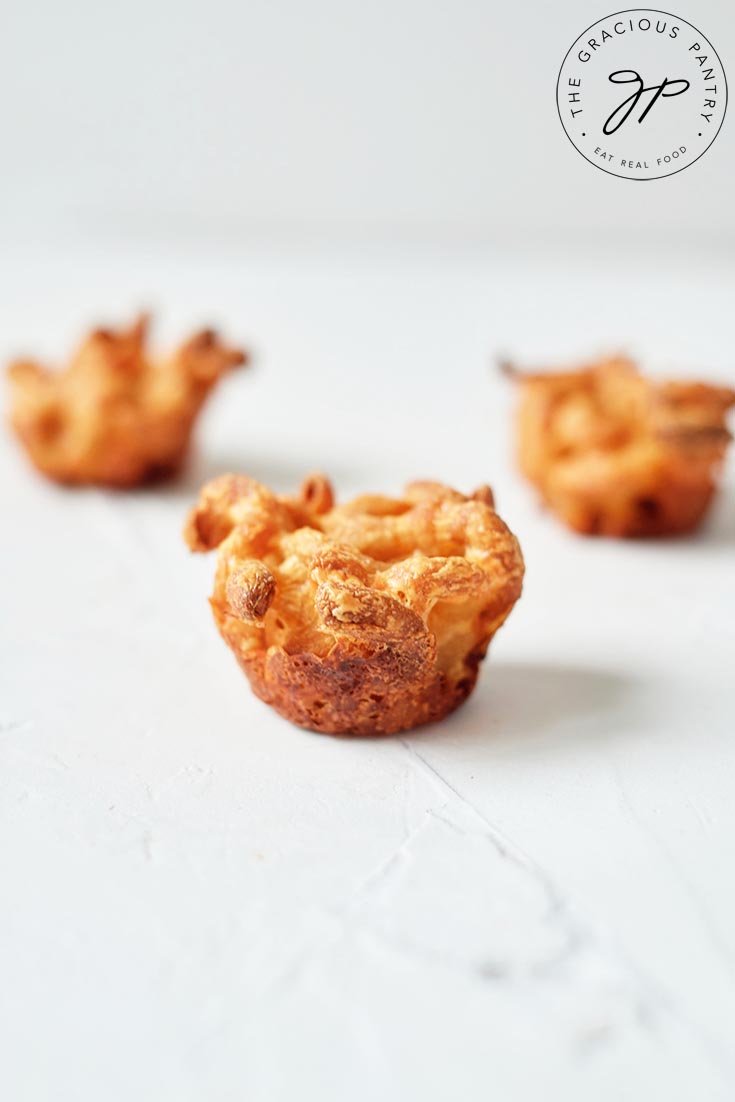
{"points": [[534, 900]]}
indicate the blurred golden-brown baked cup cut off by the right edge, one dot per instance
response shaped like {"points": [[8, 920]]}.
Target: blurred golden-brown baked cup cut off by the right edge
{"points": [[615, 455]]}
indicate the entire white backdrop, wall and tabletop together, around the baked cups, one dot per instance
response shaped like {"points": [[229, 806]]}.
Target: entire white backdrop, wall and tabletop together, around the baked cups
{"points": [[199, 902]]}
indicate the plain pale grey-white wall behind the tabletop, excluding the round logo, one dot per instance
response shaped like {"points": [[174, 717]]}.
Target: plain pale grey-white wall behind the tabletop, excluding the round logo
{"points": [[398, 118]]}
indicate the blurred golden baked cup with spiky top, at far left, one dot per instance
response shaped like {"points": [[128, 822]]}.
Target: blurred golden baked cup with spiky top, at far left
{"points": [[114, 418]]}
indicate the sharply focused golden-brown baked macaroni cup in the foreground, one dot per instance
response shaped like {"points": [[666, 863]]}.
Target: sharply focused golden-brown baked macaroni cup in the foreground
{"points": [[365, 619]]}
